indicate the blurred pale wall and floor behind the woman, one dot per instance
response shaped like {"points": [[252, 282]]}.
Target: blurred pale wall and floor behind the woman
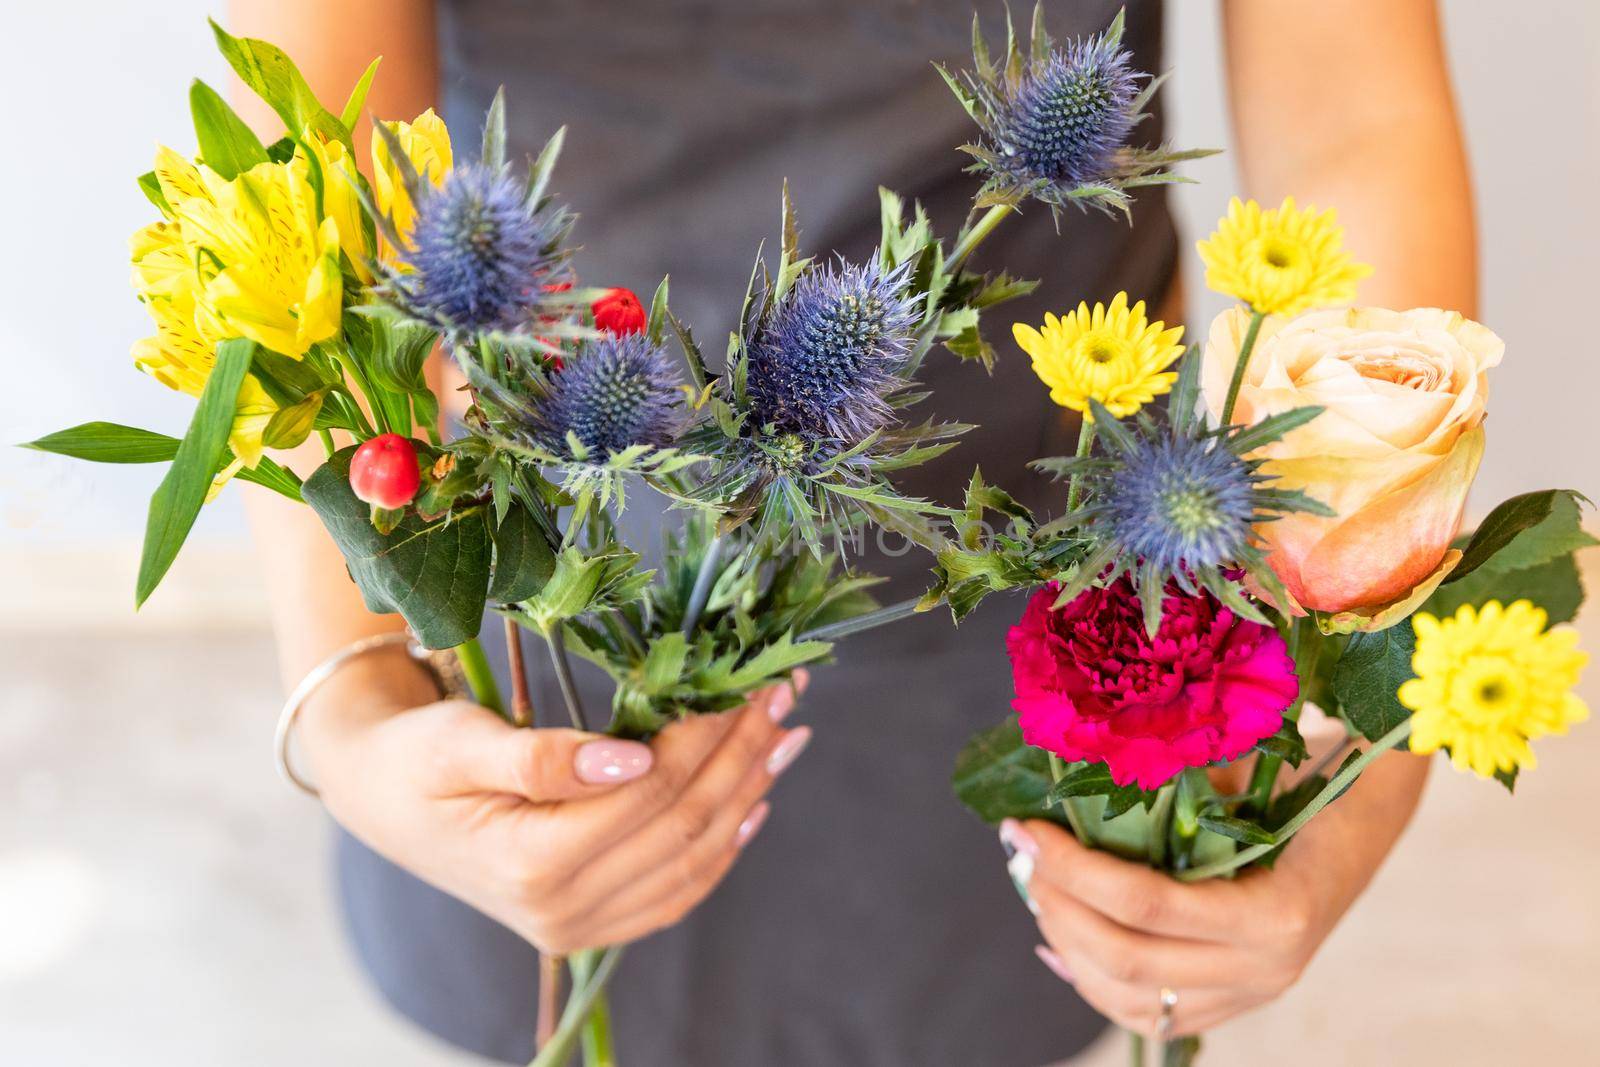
{"points": [[162, 900]]}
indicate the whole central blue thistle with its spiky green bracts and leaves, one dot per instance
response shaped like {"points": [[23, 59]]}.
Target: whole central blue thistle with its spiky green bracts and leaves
{"points": [[807, 423]]}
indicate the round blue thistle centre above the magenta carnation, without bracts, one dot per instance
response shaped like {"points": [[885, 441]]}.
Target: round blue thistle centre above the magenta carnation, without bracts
{"points": [[1182, 503]]}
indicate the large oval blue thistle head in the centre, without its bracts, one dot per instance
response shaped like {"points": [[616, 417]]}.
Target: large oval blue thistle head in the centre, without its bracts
{"points": [[831, 353]]}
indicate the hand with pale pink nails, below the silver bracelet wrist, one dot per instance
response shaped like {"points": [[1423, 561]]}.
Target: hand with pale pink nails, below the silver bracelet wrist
{"points": [[574, 841]]}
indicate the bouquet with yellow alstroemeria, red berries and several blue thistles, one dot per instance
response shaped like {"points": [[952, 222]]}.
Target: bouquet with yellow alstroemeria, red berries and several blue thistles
{"points": [[295, 297]]}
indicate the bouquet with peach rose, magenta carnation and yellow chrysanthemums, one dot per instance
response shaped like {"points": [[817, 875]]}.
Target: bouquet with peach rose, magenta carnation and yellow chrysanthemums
{"points": [[1282, 535]]}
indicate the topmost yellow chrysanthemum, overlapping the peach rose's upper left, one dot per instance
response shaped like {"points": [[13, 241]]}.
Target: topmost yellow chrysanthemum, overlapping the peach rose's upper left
{"points": [[1281, 262]]}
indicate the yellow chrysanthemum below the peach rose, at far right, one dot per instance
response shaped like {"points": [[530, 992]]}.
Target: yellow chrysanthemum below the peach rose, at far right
{"points": [[1489, 682]]}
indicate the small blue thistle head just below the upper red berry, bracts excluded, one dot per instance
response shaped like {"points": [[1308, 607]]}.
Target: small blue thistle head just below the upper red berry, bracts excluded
{"points": [[612, 394]]}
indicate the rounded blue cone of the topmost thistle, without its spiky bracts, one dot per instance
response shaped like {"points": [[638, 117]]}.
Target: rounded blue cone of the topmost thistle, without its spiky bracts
{"points": [[1070, 116]]}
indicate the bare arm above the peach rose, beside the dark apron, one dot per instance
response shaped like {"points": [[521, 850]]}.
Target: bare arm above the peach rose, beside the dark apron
{"points": [[1350, 106]]}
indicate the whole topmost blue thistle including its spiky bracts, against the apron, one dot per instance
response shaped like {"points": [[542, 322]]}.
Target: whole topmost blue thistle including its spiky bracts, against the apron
{"points": [[1057, 121]]}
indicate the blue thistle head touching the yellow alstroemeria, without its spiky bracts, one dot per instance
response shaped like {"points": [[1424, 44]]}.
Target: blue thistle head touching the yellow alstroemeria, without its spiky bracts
{"points": [[479, 254]]}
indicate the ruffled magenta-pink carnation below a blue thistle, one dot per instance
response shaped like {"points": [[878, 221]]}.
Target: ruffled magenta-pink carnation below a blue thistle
{"points": [[1092, 685]]}
